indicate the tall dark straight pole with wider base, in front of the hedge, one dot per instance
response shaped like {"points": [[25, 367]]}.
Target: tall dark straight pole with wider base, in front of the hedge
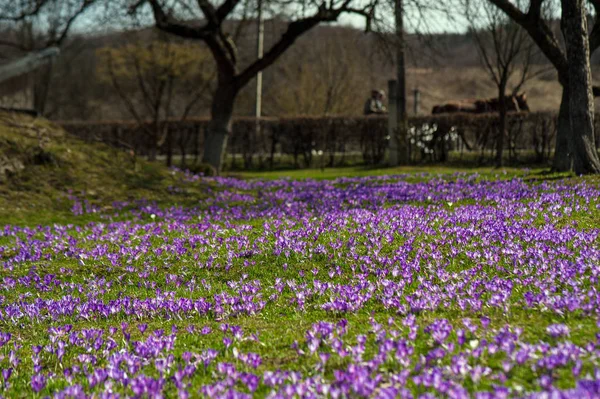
{"points": [[399, 141]]}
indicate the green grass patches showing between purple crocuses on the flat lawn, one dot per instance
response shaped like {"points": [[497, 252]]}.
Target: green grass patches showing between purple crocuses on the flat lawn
{"points": [[278, 326]]}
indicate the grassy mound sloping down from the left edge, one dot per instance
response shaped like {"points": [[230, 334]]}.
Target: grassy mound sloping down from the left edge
{"points": [[39, 192]]}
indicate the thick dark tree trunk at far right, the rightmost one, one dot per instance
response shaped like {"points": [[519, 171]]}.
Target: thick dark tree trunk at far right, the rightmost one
{"points": [[582, 146]]}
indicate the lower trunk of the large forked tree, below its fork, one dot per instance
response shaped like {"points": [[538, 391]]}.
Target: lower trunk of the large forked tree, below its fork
{"points": [[219, 128]]}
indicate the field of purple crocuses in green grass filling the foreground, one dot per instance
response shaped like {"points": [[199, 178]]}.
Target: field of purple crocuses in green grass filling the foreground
{"points": [[390, 286]]}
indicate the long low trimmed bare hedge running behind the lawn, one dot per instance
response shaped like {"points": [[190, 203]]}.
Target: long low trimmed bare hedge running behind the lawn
{"points": [[332, 140]]}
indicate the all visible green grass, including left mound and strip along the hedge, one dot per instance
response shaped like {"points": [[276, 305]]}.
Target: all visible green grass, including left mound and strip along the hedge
{"points": [[37, 195]]}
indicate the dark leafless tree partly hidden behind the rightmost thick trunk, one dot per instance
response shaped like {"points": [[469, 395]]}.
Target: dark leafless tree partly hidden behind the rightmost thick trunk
{"points": [[574, 149]]}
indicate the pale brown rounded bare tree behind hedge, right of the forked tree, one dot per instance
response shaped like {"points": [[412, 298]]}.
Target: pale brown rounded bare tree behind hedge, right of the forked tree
{"points": [[325, 82]]}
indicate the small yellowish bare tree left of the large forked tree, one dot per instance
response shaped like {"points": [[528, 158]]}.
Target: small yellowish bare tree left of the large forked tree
{"points": [[151, 77]]}
